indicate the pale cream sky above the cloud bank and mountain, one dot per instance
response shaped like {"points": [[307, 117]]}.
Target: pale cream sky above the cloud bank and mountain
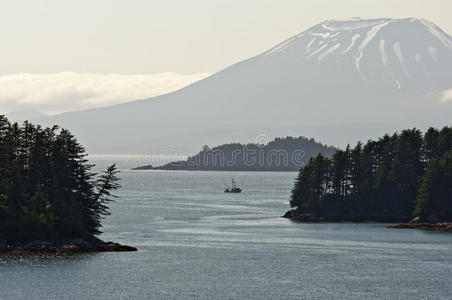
{"points": [[160, 36]]}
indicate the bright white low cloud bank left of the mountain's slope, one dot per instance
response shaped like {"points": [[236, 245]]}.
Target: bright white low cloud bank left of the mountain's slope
{"points": [[60, 92]]}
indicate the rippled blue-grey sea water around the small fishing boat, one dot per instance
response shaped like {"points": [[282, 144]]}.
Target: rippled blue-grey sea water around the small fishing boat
{"points": [[195, 242]]}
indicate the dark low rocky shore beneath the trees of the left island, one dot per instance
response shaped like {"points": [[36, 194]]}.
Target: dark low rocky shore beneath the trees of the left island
{"points": [[62, 246]]}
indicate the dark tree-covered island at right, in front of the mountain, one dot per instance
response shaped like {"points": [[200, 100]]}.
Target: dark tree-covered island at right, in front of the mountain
{"points": [[396, 178]]}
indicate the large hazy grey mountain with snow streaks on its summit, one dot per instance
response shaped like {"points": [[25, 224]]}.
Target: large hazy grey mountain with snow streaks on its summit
{"points": [[338, 81]]}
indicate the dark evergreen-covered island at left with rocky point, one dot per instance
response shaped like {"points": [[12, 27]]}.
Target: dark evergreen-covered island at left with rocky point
{"points": [[50, 200]]}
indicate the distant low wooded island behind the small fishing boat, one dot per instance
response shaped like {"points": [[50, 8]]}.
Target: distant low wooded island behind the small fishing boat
{"points": [[281, 154]]}
